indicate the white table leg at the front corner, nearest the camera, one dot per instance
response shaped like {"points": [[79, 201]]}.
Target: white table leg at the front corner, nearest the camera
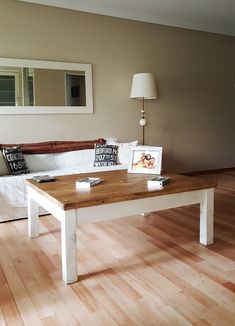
{"points": [[69, 246]]}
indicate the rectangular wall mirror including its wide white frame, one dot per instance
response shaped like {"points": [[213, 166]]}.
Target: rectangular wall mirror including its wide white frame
{"points": [[45, 87]]}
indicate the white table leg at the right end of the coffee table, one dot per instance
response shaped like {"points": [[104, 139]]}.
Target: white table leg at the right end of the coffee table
{"points": [[207, 217]]}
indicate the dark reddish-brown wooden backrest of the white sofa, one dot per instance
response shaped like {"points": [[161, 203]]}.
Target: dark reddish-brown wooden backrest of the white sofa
{"points": [[55, 146]]}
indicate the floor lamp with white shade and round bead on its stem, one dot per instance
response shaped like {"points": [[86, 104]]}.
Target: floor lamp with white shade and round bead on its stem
{"points": [[144, 88]]}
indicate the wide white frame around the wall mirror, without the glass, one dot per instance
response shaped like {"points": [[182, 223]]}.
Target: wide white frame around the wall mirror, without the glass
{"points": [[7, 62]]}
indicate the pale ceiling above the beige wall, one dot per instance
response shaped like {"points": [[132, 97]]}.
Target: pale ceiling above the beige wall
{"points": [[216, 16]]}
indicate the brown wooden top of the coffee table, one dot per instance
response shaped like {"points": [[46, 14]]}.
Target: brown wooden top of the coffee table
{"points": [[117, 186]]}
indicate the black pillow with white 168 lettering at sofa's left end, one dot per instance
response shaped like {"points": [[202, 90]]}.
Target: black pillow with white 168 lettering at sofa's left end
{"points": [[15, 160]]}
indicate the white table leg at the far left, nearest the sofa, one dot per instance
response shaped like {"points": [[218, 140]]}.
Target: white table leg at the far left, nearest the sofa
{"points": [[33, 219]]}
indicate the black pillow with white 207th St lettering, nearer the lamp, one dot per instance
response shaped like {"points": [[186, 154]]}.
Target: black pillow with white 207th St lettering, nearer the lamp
{"points": [[105, 155]]}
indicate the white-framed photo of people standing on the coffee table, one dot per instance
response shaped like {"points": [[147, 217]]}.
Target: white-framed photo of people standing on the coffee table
{"points": [[145, 159]]}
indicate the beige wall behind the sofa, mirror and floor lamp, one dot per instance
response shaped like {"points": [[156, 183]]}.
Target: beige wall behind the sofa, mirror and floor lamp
{"points": [[193, 118]]}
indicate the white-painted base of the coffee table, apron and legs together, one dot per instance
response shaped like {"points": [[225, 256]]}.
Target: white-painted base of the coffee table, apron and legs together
{"points": [[70, 218]]}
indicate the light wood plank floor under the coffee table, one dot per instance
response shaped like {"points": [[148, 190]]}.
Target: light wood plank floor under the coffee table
{"points": [[132, 271]]}
